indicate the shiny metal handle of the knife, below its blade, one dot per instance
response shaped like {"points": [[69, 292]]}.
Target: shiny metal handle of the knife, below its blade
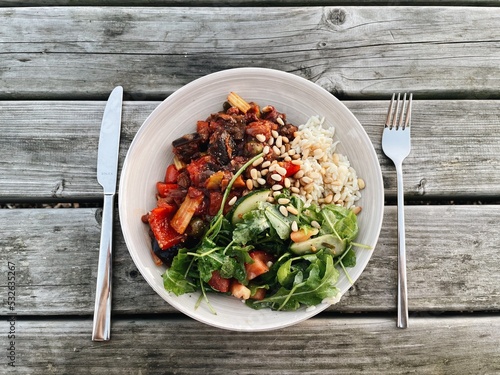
{"points": [[102, 310]]}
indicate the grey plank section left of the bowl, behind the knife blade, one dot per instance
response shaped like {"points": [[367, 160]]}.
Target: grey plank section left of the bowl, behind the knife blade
{"points": [[49, 149]]}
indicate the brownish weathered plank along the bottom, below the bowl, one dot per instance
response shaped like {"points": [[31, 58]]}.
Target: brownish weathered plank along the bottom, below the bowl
{"points": [[340, 345]]}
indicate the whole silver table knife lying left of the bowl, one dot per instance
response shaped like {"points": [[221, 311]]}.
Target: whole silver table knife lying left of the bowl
{"points": [[107, 171]]}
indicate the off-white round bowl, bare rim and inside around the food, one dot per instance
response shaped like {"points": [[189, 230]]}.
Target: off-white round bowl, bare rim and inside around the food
{"points": [[150, 153]]}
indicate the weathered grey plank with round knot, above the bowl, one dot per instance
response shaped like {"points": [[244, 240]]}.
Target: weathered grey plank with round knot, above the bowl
{"points": [[354, 52]]}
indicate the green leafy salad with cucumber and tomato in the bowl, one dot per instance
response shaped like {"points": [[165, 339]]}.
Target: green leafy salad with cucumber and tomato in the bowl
{"points": [[272, 253]]}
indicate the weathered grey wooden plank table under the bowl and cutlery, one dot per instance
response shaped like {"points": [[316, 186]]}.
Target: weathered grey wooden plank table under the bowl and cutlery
{"points": [[58, 64]]}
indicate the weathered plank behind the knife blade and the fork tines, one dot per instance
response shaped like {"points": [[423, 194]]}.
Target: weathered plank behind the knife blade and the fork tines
{"points": [[49, 149]]}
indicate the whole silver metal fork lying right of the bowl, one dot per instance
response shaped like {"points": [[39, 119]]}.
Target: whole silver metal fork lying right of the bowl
{"points": [[396, 145]]}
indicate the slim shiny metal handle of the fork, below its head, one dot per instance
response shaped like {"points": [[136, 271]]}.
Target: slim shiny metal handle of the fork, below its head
{"points": [[402, 289]]}
